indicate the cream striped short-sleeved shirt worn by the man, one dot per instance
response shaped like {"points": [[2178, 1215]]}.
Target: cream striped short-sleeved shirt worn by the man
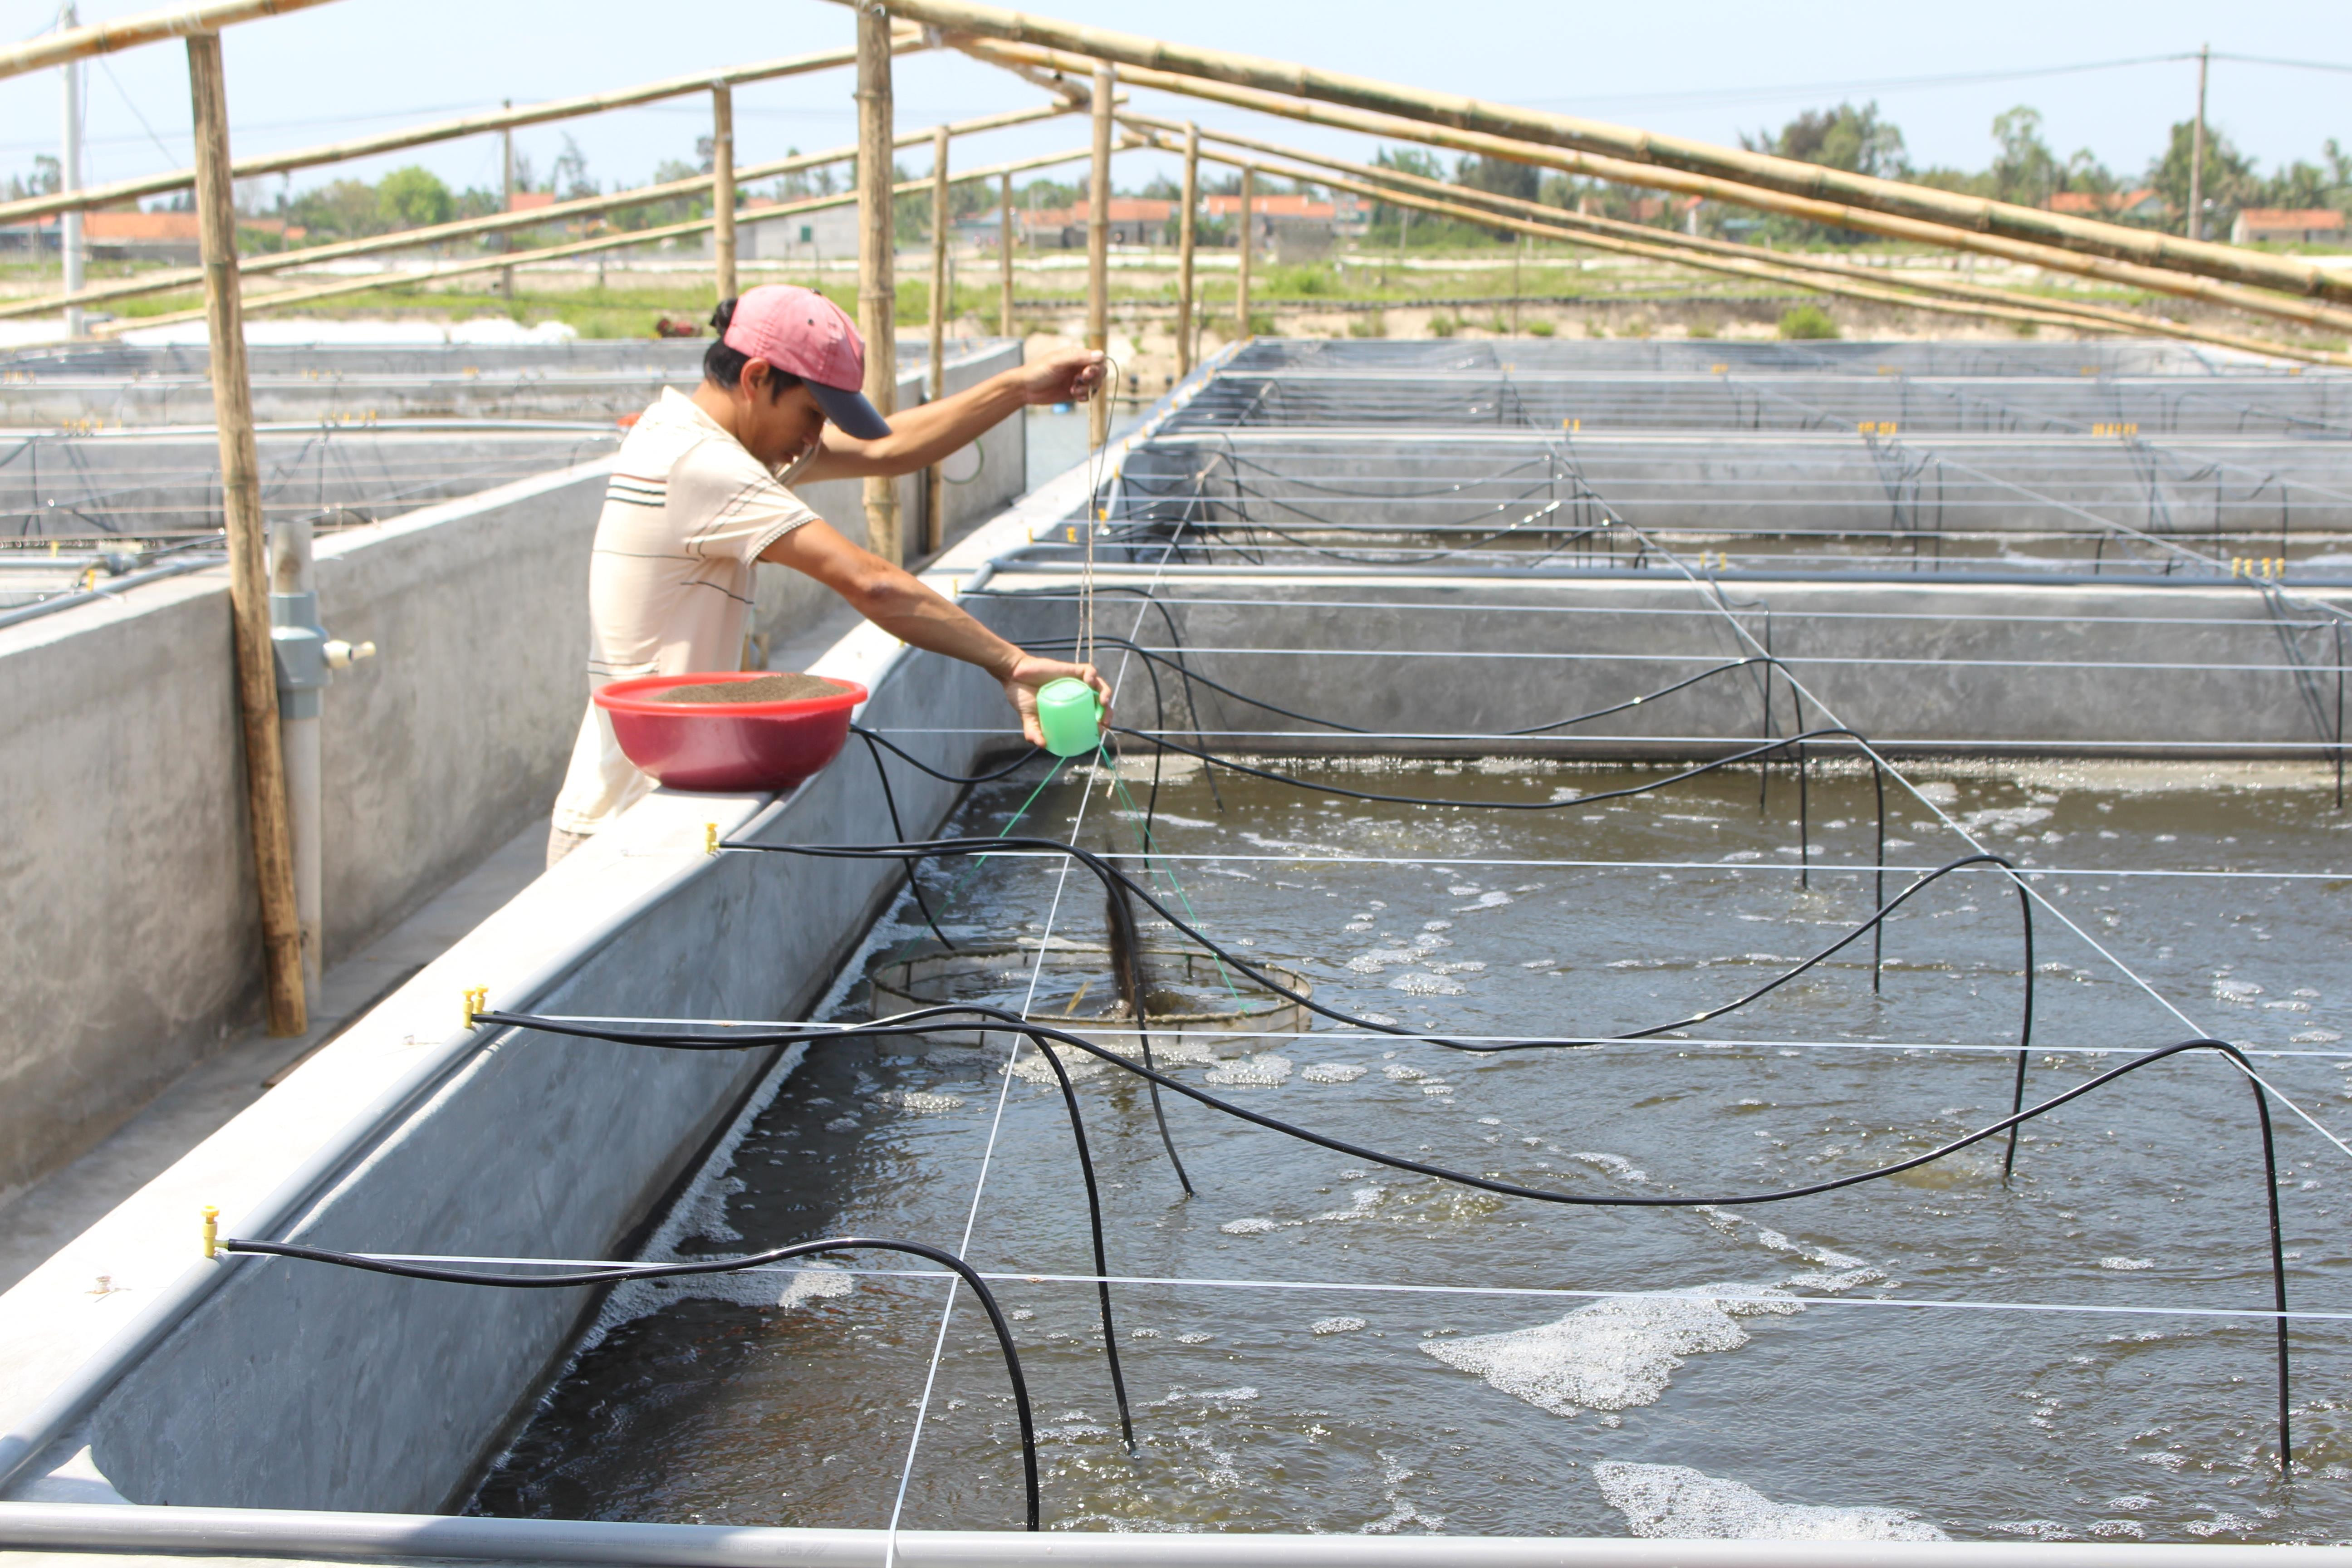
{"points": [[671, 579]]}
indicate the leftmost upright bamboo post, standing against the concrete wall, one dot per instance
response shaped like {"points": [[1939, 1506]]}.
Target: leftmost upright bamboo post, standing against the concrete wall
{"points": [[248, 556]]}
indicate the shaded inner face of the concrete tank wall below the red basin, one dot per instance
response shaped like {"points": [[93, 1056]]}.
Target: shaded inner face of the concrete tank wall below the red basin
{"points": [[542, 1146]]}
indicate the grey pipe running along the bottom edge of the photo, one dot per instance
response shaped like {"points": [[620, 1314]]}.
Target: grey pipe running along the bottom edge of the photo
{"points": [[65, 1527]]}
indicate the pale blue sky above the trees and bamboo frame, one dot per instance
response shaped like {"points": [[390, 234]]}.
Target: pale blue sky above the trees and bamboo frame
{"points": [[1699, 69]]}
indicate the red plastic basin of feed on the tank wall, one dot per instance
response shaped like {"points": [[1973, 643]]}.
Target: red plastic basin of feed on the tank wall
{"points": [[733, 749]]}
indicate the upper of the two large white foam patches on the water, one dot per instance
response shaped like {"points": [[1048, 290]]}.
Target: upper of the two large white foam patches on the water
{"points": [[1617, 1353]]}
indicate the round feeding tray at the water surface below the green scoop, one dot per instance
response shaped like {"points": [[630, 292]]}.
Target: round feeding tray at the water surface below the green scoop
{"points": [[1189, 996]]}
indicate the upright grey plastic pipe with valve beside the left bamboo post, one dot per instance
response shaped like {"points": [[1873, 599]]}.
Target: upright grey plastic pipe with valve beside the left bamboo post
{"points": [[307, 662]]}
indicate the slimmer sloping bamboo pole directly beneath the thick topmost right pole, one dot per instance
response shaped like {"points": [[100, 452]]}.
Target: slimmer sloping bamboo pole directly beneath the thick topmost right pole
{"points": [[2127, 274]]}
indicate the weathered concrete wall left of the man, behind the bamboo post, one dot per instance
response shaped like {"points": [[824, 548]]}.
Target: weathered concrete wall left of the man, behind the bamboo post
{"points": [[133, 937]]}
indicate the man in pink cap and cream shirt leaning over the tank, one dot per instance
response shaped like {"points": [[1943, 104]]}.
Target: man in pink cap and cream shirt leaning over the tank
{"points": [[700, 497]]}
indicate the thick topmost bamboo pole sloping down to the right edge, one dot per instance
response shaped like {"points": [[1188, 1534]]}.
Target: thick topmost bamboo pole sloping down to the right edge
{"points": [[1765, 170]]}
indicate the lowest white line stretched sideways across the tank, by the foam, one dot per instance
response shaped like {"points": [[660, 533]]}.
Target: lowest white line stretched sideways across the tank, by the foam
{"points": [[1405, 1289]]}
